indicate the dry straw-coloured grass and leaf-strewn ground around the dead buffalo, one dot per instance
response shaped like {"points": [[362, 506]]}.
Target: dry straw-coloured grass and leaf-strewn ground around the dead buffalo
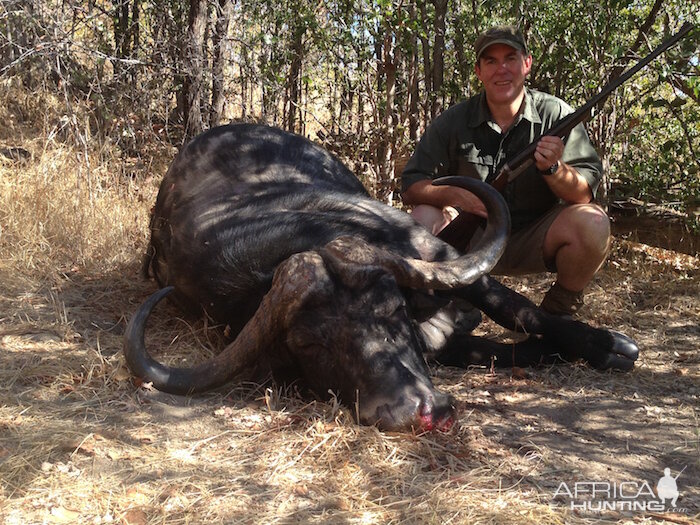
{"points": [[79, 443]]}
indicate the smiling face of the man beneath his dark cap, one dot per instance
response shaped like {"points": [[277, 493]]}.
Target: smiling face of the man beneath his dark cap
{"points": [[502, 70]]}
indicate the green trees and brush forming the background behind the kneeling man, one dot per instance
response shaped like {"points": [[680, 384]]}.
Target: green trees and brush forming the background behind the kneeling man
{"points": [[365, 77]]}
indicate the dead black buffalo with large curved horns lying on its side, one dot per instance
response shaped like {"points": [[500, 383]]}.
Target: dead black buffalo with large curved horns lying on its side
{"points": [[271, 235]]}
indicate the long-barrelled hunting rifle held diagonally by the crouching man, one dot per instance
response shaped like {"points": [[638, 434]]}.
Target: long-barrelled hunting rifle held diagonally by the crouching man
{"points": [[460, 231]]}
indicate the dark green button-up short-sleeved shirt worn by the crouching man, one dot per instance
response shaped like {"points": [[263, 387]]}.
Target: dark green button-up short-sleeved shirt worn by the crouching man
{"points": [[464, 140]]}
